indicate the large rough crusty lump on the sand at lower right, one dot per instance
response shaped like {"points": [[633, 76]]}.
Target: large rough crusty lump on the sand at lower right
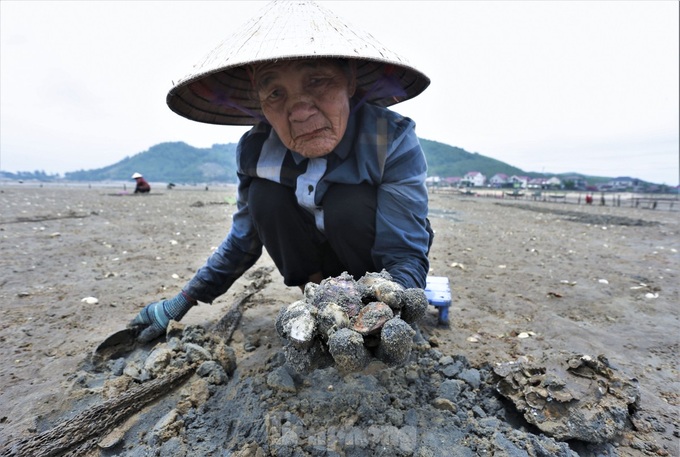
{"points": [[570, 396]]}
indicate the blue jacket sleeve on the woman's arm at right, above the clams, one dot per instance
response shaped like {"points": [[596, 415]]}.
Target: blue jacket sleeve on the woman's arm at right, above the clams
{"points": [[403, 236]]}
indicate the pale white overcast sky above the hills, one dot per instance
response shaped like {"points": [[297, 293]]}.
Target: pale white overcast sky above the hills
{"points": [[547, 86]]}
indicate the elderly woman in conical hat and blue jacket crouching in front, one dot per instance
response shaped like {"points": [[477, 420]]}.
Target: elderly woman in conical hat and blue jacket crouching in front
{"points": [[329, 179]]}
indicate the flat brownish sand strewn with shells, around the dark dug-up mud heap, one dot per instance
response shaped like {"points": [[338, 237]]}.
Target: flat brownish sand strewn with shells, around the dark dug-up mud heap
{"points": [[529, 278]]}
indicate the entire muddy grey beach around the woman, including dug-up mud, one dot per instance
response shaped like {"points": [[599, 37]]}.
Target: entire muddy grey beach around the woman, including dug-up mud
{"points": [[552, 303]]}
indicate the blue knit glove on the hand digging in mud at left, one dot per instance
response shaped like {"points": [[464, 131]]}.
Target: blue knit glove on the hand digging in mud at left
{"points": [[155, 317]]}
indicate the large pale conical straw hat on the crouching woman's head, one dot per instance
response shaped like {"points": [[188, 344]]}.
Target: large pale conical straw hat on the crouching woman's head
{"points": [[218, 90]]}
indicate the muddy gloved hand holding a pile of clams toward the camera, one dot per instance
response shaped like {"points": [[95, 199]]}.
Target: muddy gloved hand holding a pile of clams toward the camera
{"points": [[347, 323]]}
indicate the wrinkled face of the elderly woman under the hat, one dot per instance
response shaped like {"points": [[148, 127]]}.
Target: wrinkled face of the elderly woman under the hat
{"points": [[306, 102]]}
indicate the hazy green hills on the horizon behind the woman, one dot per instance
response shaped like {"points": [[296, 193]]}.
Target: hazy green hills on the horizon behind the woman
{"points": [[181, 163]]}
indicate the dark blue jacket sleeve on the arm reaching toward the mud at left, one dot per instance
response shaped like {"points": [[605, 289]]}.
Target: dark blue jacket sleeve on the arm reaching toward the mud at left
{"points": [[238, 251]]}
